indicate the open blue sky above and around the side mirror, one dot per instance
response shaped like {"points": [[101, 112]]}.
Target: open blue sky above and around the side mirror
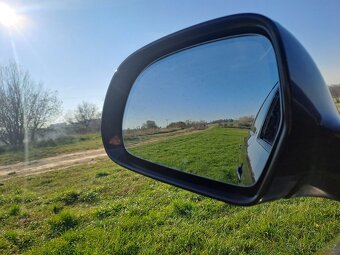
{"points": [[75, 46]]}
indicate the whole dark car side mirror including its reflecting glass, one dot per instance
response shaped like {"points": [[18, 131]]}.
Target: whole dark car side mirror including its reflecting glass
{"points": [[233, 108]]}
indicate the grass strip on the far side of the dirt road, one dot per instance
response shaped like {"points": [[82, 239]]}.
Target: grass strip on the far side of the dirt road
{"points": [[51, 148]]}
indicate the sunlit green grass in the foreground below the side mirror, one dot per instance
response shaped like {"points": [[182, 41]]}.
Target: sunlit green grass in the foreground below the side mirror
{"points": [[74, 211]]}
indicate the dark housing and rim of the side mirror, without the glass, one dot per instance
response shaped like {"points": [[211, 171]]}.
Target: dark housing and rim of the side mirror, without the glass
{"points": [[303, 161]]}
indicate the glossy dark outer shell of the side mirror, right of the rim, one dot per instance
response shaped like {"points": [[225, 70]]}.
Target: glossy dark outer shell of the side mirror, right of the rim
{"points": [[309, 160]]}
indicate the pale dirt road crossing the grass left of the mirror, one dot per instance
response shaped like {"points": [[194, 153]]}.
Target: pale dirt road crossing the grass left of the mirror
{"points": [[50, 164]]}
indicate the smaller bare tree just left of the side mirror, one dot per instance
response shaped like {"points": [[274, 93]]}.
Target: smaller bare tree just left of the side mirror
{"points": [[85, 114]]}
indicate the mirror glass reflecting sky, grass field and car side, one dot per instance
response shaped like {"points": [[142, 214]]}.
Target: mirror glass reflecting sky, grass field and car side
{"points": [[194, 110]]}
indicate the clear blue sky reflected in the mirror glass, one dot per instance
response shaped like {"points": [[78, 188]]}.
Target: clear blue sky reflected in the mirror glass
{"points": [[223, 79]]}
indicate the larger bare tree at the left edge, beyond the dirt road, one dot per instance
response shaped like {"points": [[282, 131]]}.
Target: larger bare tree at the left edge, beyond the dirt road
{"points": [[25, 106]]}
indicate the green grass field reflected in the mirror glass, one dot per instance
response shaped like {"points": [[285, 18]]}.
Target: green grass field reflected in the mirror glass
{"points": [[214, 153]]}
